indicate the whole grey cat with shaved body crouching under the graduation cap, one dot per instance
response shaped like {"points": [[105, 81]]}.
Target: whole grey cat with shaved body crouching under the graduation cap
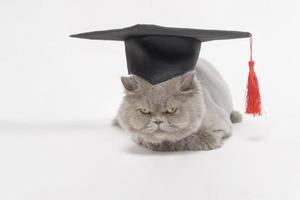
{"points": [[190, 112]]}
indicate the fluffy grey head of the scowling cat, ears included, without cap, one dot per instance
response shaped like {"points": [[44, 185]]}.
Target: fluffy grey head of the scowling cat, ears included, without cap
{"points": [[168, 111]]}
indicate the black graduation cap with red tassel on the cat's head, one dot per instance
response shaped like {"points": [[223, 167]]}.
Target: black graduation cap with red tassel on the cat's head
{"points": [[158, 53]]}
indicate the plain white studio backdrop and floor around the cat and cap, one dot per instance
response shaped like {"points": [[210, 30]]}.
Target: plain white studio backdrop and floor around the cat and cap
{"points": [[58, 96]]}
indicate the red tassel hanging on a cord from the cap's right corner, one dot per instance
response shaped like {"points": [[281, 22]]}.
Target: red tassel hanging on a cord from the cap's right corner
{"points": [[253, 101]]}
